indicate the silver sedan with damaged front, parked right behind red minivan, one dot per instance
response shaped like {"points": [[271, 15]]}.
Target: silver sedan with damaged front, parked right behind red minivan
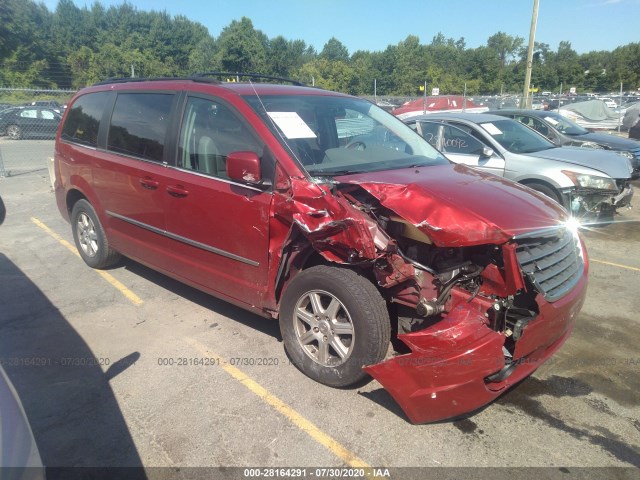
{"points": [[589, 183]]}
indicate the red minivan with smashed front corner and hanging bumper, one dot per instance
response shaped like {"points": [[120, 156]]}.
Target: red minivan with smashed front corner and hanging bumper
{"points": [[377, 255]]}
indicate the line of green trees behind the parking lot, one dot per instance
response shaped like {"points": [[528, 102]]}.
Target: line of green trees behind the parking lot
{"points": [[72, 47]]}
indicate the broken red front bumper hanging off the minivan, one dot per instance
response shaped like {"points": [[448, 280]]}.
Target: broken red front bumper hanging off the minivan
{"points": [[445, 375]]}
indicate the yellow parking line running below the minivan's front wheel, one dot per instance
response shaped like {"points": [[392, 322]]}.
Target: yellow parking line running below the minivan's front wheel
{"points": [[297, 419]]}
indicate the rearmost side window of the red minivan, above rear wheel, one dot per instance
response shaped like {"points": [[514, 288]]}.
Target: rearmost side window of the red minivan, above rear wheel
{"points": [[83, 120]]}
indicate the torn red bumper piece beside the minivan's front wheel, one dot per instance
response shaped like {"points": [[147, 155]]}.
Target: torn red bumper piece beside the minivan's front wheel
{"points": [[439, 378]]}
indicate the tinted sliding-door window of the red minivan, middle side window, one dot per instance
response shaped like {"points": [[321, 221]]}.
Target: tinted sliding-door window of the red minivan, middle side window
{"points": [[139, 125]]}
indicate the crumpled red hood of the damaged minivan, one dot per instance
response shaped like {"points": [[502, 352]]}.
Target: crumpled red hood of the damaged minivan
{"points": [[459, 206]]}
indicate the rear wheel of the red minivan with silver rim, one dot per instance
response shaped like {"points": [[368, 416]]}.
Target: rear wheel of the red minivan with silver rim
{"points": [[89, 236]]}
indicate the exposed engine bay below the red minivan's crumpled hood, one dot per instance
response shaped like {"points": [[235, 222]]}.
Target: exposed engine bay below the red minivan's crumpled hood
{"points": [[442, 277]]}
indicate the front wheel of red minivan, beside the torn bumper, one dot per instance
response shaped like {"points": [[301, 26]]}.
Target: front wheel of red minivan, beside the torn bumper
{"points": [[333, 322]]}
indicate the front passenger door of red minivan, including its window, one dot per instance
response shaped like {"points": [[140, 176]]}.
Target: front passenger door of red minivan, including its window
{"points": [[218, 229]]}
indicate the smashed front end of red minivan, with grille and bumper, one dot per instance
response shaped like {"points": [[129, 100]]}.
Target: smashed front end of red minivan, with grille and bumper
{"points": [[487, 318]]}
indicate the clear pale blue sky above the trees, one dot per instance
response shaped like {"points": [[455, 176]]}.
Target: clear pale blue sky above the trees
{"points": [[374, 24]]}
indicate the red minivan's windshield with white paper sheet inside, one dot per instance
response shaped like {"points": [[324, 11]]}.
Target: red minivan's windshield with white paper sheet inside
{"points": [[331, 135]]}
